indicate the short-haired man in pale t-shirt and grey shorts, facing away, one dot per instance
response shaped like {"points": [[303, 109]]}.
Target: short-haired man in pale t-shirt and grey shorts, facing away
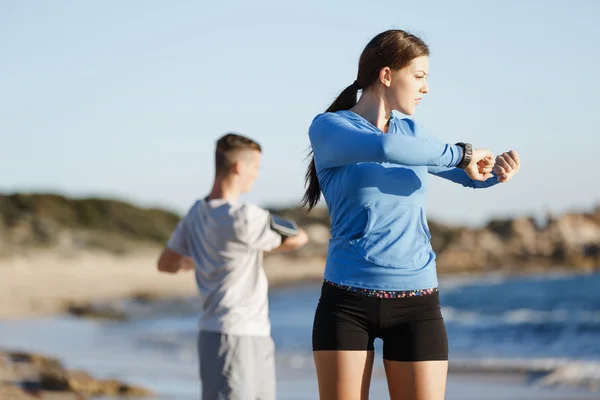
{"points": [[224, 241]]}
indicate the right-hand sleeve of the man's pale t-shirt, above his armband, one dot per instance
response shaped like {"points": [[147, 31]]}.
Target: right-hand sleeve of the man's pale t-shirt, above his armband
{"points": [[256, 229]]}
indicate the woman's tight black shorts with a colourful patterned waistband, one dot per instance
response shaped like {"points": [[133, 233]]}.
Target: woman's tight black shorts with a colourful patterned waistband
{"points": [[411, 328]]}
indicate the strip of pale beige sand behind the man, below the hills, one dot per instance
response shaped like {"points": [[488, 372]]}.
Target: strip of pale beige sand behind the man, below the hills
{"points": [[43, 283]]}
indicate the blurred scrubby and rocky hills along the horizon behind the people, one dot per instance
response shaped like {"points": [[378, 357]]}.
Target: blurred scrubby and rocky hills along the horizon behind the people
{"points": [[67, 226]]}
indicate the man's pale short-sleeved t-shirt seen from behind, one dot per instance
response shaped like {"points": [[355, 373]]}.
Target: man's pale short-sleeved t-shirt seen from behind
{"points": [[227, 241]]}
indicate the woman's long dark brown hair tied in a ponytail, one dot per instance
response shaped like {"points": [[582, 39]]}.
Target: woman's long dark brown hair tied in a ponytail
{"points": [[394, 49]]}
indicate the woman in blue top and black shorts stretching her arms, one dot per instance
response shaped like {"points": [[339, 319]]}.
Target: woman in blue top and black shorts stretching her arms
{"points": [[380, 276]]}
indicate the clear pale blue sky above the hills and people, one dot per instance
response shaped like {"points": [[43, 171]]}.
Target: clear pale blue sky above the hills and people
{"points": [[126, 99]]}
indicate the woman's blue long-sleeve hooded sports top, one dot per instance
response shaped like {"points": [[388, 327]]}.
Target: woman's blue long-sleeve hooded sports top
{"points": [[374, 184]]}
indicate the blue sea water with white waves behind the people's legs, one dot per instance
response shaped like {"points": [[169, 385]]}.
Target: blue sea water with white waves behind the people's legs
{"points": [[544, 326]]}
